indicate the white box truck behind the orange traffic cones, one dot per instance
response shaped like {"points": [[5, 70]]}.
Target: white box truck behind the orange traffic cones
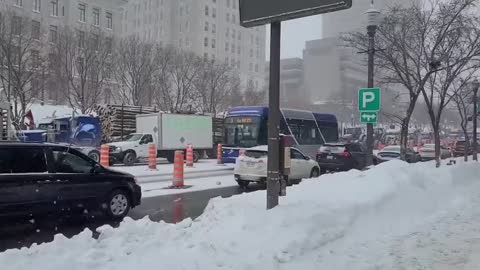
{"points": [[169, 132]]}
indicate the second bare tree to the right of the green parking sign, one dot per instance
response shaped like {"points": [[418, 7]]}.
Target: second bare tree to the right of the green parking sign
{"points": [[457, 30]]}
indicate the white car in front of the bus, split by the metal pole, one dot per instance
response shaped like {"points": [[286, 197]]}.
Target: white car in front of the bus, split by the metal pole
{"points": [[252, 166]]}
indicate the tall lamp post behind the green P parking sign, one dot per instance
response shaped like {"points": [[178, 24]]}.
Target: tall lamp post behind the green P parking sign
{"points": [[372, 24]]}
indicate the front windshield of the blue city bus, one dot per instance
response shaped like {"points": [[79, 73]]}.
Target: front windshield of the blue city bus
{"points": [[242, 131]]}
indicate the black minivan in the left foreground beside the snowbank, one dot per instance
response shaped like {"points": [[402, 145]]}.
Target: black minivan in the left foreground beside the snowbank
{"points": [[46, 179]]}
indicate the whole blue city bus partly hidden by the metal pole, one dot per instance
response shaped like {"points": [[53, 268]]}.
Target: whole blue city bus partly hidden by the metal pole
{"points": [[247, 127]]}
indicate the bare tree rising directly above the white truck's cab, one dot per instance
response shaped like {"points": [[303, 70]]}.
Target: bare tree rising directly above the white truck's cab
{"points": [[135, 69]]}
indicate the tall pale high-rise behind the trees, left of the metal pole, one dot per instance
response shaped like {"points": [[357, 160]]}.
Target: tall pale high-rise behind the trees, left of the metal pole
{"points": [[209, 28]]}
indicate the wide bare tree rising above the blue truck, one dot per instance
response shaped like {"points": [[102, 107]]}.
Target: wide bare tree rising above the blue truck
{"points": [[85, 60]]}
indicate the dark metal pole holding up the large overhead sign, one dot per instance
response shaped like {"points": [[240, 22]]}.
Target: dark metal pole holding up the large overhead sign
{"points": [[273, 176]]}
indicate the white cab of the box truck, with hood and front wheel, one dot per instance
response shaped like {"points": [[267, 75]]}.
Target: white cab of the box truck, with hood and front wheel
{"points": [[131, 149]]}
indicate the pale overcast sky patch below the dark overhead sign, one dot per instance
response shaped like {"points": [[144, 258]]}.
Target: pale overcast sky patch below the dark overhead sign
{"points": [[294, 35]]}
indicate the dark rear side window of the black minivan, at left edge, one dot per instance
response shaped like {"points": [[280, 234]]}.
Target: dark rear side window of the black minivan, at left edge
{"points": [[22, 160]]}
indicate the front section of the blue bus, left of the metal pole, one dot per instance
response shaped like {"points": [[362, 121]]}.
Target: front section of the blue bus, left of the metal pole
{"points": [[245, 127]]}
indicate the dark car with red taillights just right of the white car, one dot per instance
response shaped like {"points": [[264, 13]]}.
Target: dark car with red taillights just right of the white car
{"points": [[342, 157]]}
